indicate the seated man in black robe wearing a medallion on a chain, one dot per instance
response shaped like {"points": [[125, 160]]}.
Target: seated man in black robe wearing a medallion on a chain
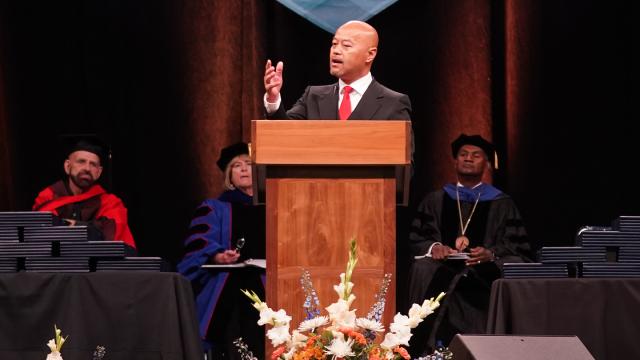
{"points": [[464, 218]]}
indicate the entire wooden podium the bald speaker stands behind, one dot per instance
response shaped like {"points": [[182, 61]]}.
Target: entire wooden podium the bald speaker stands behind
{"points": [[325, 182]]}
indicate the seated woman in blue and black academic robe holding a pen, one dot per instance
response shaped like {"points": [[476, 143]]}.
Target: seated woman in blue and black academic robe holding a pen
{"points": [[227, 230]]}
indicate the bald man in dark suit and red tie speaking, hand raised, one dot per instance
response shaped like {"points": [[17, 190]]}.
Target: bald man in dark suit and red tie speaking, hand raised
{"points": [[353, 49]]}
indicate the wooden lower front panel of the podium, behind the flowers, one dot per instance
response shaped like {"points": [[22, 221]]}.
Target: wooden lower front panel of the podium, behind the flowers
{"points": [[312, 221]]}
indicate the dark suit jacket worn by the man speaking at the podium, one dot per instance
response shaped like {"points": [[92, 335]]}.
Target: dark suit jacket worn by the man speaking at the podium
{"points": [[321, 103]]}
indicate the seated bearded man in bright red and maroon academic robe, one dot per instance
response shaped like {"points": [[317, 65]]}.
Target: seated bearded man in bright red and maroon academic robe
{"points": [[79, 200]]}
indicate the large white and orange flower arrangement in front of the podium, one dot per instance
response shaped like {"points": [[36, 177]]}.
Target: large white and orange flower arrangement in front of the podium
{"points": [[341, 335]]}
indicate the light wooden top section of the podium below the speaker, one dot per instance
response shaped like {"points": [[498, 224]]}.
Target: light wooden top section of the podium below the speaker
{"points": [[331, 142]]}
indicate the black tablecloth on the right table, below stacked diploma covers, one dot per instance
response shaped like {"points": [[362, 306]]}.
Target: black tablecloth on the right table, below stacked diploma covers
{"points": [[603, 313]]}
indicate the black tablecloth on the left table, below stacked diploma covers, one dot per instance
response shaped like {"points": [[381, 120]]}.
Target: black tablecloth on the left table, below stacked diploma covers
{"points": [[135, 315]]}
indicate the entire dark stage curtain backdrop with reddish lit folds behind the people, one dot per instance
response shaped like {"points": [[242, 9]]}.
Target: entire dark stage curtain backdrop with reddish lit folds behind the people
{"points": [[168, 83]]}
